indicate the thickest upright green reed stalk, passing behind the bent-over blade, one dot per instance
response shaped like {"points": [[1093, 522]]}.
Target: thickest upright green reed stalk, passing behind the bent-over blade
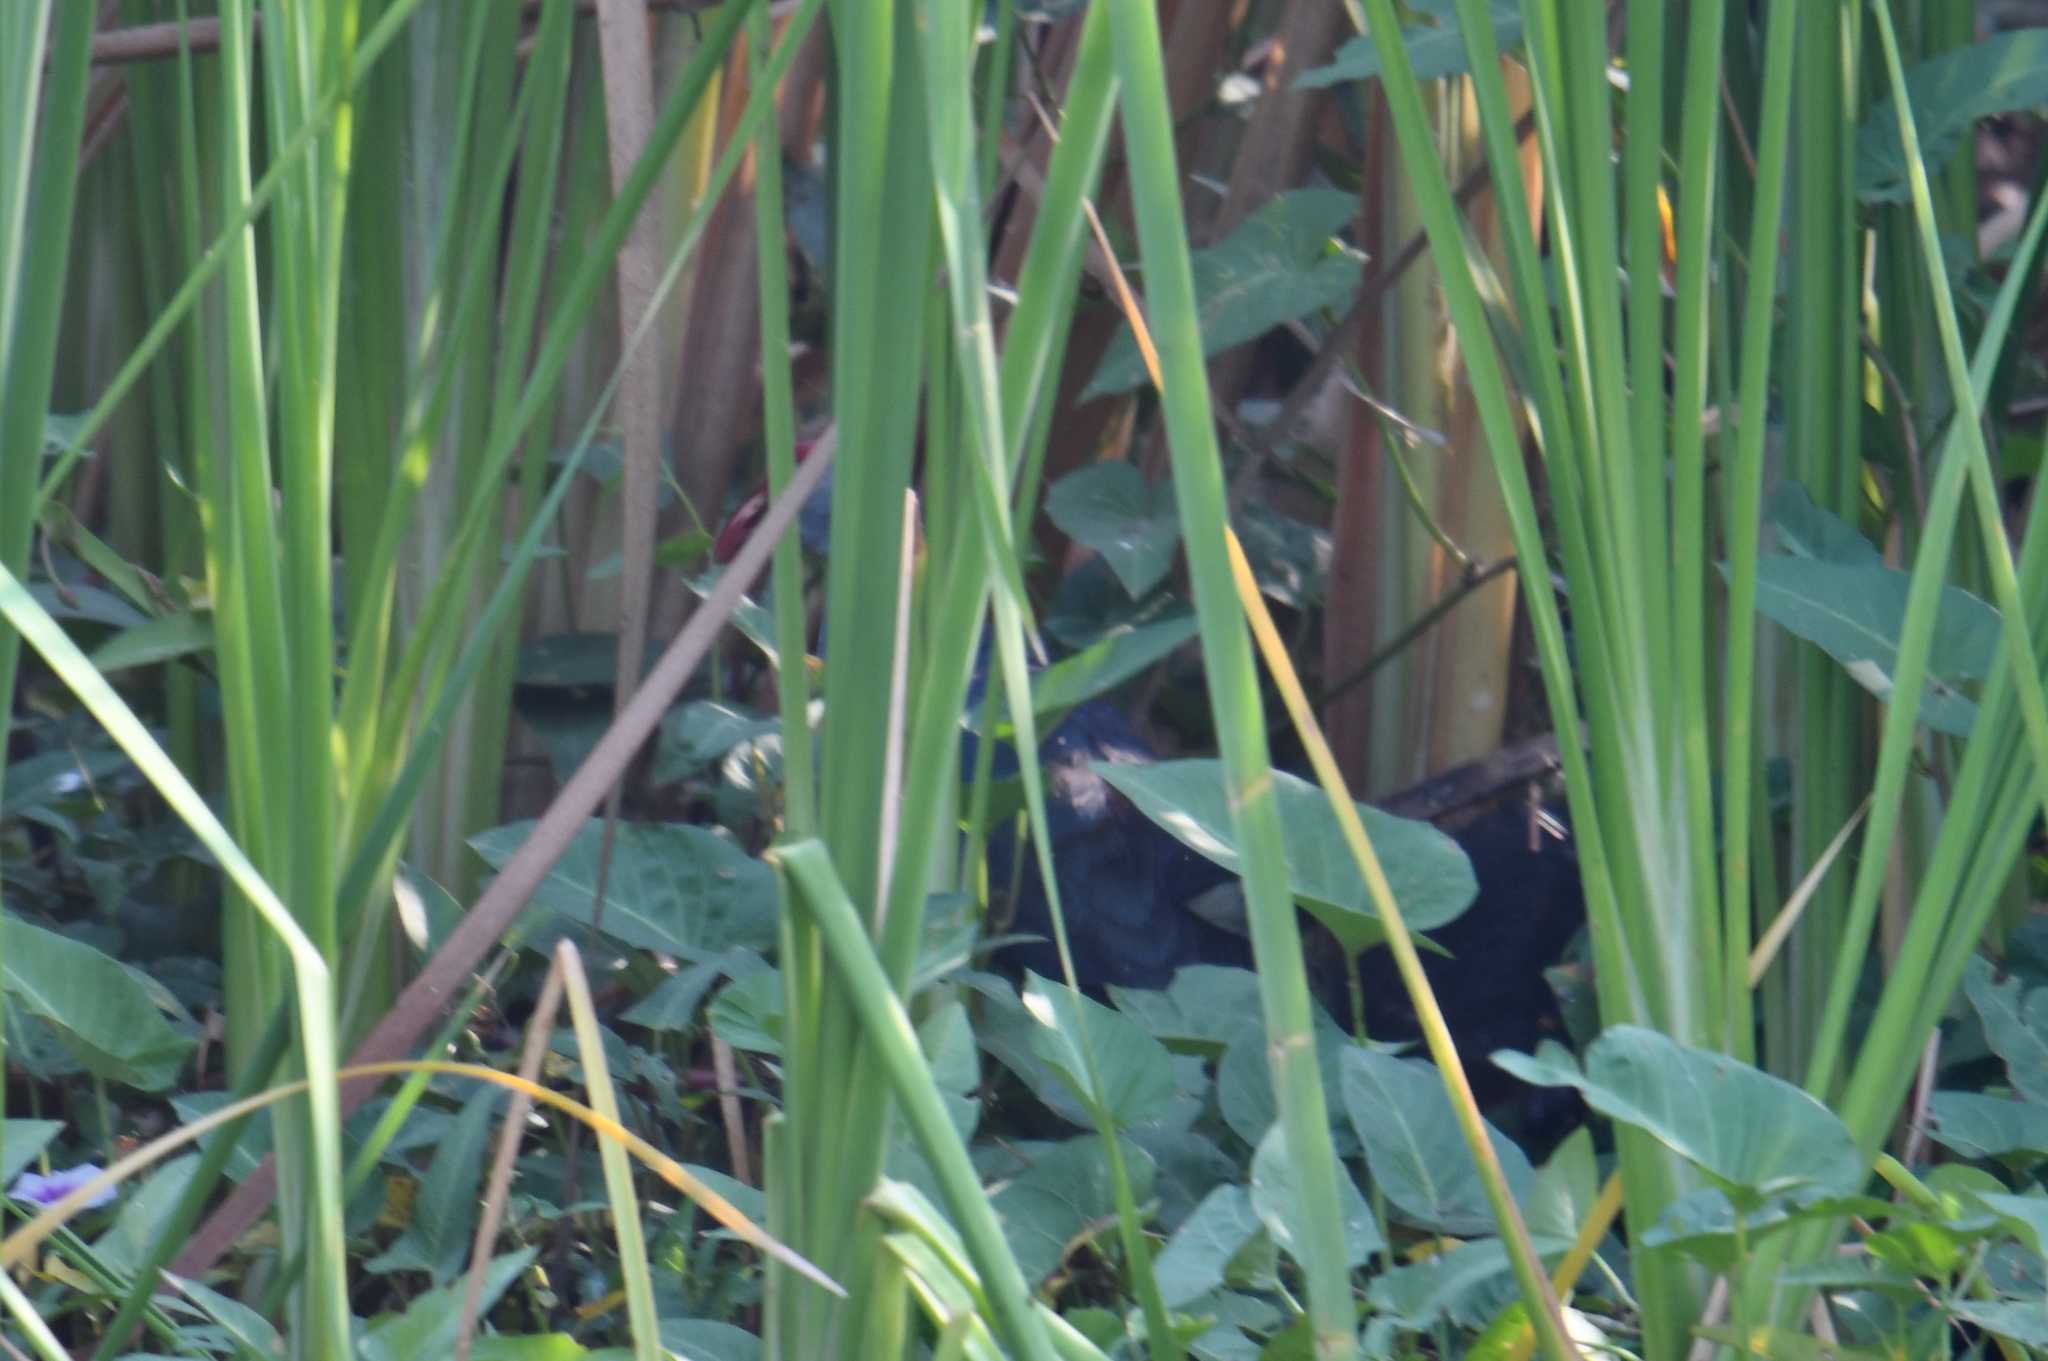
{"points": [[882, 204]]}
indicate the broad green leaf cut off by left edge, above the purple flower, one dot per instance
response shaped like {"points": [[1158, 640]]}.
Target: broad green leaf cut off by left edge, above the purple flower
{"points": [[99, 1012]]}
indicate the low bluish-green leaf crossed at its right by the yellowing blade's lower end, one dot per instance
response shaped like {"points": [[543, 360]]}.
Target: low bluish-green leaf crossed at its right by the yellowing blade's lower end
{"points": [[1414, 1147]]}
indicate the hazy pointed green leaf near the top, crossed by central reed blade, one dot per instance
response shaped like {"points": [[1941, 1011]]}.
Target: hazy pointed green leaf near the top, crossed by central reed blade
{"points": [[1275, 267]]}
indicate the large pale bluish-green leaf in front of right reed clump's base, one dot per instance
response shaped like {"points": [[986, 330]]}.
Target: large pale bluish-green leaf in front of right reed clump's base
{"points": [[1752, 1133]]}
